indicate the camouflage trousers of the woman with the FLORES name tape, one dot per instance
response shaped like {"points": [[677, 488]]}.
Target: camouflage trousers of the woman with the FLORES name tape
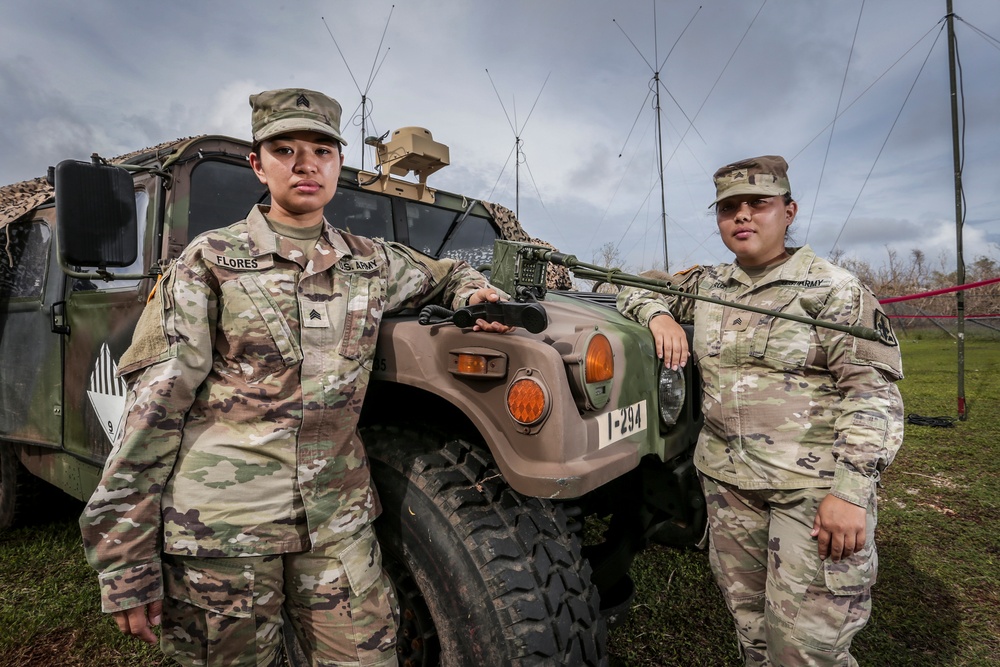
{"points": [[226, 612]]}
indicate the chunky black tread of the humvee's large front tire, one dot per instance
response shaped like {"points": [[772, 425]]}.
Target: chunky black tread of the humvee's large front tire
{"points": [[530, 562]]}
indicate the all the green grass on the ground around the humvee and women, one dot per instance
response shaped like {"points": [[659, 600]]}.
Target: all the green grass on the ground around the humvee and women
{"points": [[935, 603]]}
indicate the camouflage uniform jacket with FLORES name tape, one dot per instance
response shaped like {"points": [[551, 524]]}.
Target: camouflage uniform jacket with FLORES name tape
{"points": [[247, 373]]}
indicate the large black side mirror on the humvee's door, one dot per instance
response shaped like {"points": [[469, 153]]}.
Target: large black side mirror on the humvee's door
{"points": [[95, 215]]}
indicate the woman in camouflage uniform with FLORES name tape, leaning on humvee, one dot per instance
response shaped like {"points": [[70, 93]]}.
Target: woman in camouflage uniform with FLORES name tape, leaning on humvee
{"points": [[239, 484]]}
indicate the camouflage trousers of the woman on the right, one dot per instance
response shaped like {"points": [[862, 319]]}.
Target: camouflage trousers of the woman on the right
{"points": [[790, 607]]}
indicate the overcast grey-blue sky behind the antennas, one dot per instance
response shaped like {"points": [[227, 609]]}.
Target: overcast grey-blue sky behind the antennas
{"points": [[573, 78]]}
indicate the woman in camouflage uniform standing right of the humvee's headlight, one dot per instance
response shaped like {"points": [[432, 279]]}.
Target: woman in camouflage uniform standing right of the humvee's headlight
{"points": [[800, 421]]}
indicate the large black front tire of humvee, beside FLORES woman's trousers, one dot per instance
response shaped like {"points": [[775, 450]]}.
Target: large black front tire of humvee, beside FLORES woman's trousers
{"points": [[484, 576]]}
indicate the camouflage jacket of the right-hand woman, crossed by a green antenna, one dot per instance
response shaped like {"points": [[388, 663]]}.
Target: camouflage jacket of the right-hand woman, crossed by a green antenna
{"points": [[788, 405]]}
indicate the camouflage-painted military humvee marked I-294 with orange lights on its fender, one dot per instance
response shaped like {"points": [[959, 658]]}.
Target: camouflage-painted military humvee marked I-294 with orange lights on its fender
{"points": [[519, 474]]}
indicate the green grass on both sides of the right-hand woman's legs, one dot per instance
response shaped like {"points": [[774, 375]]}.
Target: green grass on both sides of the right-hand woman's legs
{"points": [[938, 589]]}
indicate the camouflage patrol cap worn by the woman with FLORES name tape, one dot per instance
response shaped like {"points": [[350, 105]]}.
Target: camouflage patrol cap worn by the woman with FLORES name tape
{"points": [[291, 110]]}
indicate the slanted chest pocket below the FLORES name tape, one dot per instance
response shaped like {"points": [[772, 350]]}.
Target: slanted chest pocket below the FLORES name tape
{"points": [[258, 338]]}
